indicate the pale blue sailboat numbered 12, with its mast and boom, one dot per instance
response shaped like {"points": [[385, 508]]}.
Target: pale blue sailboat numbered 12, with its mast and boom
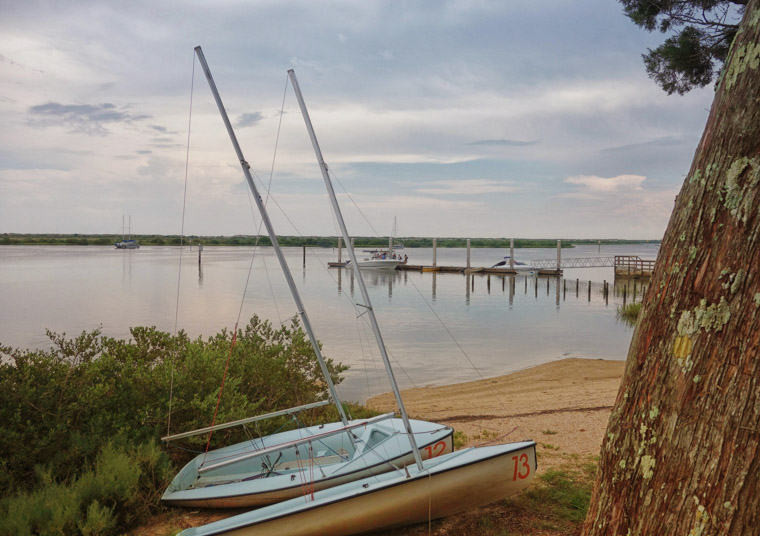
{"points": [[276, 467]]}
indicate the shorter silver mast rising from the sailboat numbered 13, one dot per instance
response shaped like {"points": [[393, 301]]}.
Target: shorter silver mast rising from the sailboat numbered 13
{"points": [[357, 273]]}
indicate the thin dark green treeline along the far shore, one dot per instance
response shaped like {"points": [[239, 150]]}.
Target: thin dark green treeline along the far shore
{"points": [[13, 239]]}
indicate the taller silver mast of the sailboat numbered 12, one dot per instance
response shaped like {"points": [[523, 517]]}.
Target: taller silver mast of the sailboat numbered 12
{"points": [[273, 237]]}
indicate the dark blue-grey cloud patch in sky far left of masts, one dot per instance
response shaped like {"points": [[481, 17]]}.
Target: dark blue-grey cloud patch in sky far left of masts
{"points": [[85, 118]]}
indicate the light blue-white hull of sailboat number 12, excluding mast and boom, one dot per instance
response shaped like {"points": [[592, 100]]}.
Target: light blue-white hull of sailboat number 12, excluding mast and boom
{"points": [[244, 484]]}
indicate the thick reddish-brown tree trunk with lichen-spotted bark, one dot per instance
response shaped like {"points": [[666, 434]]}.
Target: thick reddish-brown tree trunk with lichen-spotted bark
{"points": [[682, 451]]}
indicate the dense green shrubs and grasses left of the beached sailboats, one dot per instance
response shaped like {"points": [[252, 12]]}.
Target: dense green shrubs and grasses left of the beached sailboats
{"points": [[80, 422]]}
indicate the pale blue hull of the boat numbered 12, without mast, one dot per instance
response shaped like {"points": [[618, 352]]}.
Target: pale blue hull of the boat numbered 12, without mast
{"points": [[250, 490]]}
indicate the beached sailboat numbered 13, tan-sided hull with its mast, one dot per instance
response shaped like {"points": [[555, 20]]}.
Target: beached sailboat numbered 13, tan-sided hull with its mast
{"points": [[426, 490]]}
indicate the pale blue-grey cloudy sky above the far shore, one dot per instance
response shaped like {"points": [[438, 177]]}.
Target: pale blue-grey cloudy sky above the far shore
{"points": [[471, 118]]}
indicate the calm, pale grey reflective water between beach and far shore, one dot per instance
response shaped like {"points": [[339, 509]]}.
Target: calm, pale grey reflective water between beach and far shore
{"points": [[439, 328]]}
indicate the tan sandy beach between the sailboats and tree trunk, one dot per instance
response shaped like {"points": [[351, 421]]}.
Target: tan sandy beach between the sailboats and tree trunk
{"points": [[563, 406]]}
